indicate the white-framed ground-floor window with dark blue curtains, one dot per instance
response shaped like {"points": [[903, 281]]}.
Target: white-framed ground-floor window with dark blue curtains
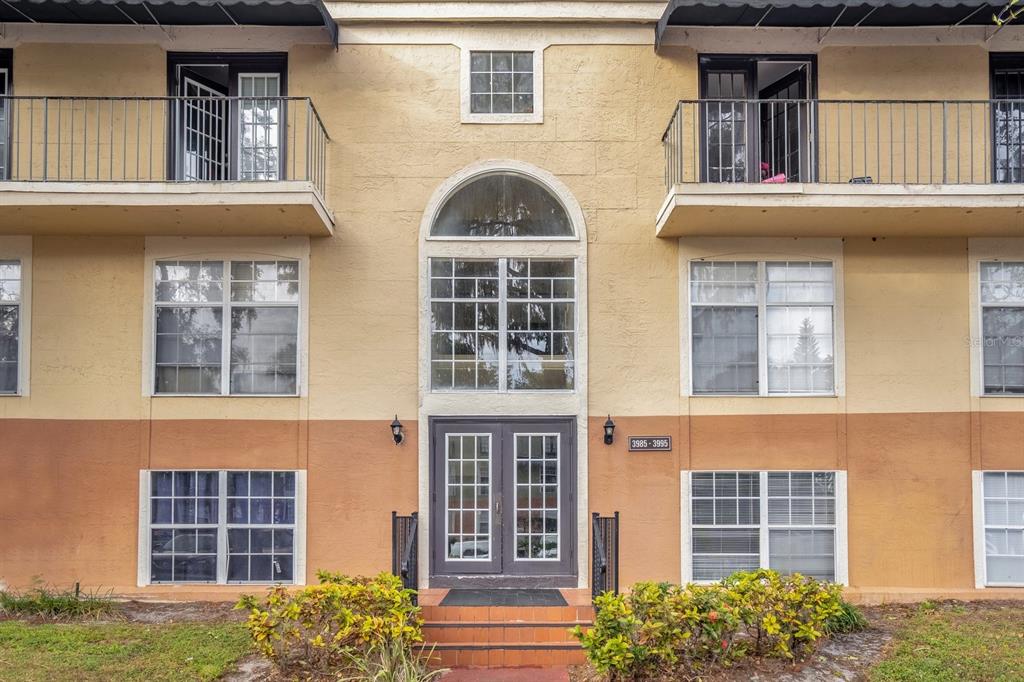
{"points": [[222, 527]]}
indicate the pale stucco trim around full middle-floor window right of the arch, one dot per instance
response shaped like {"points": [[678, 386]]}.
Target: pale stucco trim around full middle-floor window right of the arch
{"points": [[761, 249]]}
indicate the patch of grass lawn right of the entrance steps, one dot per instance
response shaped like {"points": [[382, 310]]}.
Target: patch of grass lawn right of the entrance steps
{"points": [[957, 643]]}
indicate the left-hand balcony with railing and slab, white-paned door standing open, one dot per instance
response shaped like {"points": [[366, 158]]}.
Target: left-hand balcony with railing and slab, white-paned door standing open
{"points": [[203, 166]]}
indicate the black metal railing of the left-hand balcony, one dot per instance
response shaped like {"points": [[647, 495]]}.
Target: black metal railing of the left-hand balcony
{"points": [[162, 140]]}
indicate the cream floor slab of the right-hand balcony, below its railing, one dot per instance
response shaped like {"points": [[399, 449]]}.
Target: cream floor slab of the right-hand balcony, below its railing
{"points": [[842, 210]]}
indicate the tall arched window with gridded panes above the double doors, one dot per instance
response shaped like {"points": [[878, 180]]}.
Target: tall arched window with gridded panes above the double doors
{"points": [[504, 265]]}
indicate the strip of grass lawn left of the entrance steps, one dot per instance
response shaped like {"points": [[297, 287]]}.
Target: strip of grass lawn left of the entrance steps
{"points": [[119, 652]]}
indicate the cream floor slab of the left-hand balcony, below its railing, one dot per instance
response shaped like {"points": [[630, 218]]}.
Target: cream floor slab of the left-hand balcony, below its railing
{"points": [[210, 209]]}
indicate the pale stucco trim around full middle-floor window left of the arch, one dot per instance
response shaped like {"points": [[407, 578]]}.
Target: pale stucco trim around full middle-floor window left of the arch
{"points": [[225, 248]]}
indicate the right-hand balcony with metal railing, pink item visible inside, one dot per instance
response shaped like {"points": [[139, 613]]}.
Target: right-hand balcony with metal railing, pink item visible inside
{"points": [[844, 168]]}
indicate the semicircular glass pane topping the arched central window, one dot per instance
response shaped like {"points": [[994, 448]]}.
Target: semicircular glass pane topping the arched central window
{"points": [[502, 205]]}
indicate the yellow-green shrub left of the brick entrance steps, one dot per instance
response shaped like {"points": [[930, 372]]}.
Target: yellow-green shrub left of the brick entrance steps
{"points": [[324, 629]]}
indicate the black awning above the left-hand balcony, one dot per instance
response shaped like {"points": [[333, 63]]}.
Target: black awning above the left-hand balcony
{"points": [[173, 13]]}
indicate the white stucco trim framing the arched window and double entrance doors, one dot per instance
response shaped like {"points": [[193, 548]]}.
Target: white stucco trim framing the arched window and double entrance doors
{"points": [[477, 404]]}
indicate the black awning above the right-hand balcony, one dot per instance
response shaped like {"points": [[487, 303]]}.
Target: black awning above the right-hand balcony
{"points": [[812, 14]]}
